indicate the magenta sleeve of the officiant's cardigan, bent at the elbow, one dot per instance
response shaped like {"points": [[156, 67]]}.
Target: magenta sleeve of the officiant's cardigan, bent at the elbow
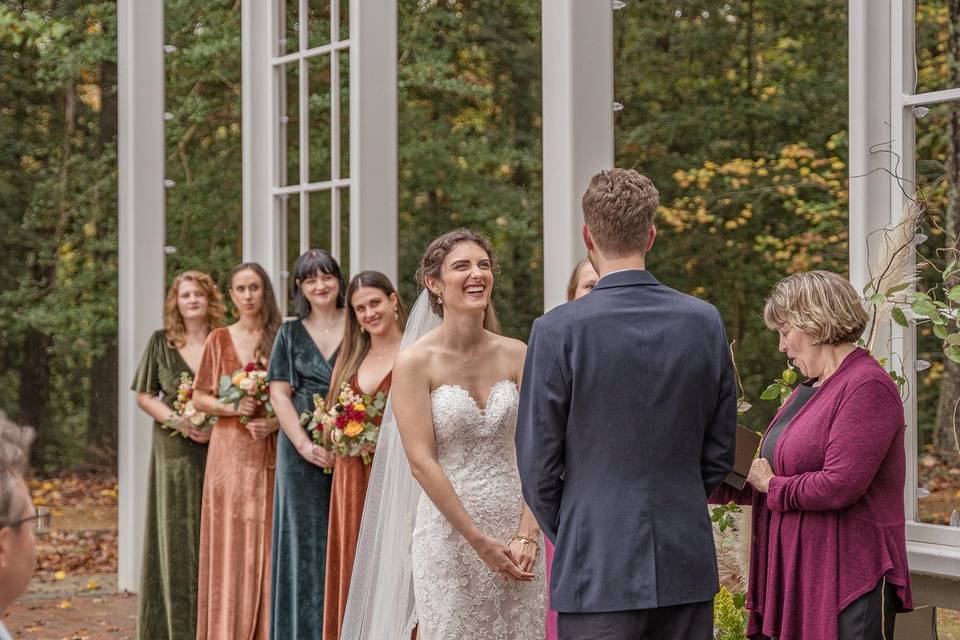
{"points": [[859, 438]]}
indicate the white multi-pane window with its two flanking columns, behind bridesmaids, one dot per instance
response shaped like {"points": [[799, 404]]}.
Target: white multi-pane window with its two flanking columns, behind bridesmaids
{"points": [[372, 181]]}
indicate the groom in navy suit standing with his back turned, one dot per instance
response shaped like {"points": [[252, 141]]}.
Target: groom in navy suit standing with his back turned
{"points": [[626, 426]]}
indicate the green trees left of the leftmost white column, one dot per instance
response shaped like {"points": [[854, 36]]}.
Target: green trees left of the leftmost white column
{"points": [[58, 221]]}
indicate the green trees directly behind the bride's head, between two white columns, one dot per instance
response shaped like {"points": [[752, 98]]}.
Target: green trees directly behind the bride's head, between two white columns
{"points": [[470, 140]]}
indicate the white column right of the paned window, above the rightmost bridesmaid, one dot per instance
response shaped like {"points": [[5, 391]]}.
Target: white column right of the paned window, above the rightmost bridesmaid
{"points": [[373, 136]]}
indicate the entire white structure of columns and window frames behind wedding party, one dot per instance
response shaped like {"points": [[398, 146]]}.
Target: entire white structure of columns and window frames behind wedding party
{"points": [[577, 142]]}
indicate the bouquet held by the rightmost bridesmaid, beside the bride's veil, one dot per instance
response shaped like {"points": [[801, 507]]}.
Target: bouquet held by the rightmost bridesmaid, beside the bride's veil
{"points": [[348, 428]]}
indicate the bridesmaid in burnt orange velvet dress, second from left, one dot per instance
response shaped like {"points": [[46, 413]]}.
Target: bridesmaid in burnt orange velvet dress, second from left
{"points": [[233, 602]]}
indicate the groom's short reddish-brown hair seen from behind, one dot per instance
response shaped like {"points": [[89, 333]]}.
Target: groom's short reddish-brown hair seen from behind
{"points": [[618, 208]]}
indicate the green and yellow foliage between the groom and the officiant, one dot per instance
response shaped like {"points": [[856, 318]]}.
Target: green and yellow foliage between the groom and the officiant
{"points": [[726, 103]]}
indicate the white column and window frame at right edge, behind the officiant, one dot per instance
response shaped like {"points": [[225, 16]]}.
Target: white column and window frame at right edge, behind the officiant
{"points": [[882, 141]]}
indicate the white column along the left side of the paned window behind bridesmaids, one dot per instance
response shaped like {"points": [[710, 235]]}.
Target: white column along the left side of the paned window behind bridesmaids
{"points": [[263, 241]]}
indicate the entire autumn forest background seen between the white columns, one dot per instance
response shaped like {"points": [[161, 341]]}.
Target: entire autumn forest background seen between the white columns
{"points": [[737, 110]]}
